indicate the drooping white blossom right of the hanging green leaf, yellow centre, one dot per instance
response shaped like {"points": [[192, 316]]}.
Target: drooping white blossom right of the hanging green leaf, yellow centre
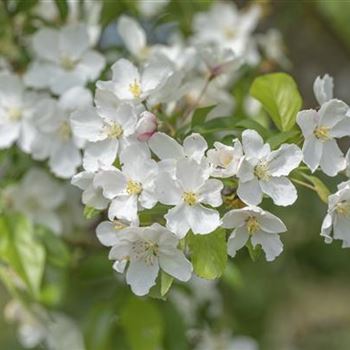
{"points": [[261, 227]]}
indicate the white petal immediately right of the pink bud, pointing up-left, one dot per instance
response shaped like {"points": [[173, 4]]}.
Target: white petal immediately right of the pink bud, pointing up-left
{"points": [[165, 147]]}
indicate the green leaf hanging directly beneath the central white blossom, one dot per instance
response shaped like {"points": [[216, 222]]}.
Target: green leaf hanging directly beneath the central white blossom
{"points": [[208, 253]]}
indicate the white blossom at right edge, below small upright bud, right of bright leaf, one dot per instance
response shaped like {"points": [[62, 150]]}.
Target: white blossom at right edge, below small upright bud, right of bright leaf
{"points": [[321, 129]]}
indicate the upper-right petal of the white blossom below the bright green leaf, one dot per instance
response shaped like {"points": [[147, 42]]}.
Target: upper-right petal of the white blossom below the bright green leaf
{"points": [[284, 160]]}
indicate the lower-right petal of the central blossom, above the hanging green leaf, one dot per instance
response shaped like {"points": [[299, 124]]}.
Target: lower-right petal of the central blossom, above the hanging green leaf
{"points": [[202, 220]]}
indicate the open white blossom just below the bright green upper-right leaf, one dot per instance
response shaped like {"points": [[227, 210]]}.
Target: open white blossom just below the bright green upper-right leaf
{"points": [[262, 171]]}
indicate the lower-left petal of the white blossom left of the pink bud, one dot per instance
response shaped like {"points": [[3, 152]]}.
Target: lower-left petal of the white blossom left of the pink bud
{"points": [[100, 154]]}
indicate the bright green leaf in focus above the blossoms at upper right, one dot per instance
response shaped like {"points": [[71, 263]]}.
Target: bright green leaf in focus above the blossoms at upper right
{"points": [[279, 95]]}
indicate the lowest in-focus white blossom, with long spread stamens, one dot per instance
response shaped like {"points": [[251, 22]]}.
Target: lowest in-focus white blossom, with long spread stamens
{"points": [[148, 249]]}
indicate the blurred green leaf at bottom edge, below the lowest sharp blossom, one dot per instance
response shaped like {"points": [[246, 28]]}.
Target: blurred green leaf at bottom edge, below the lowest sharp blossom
{"points": [[142, 324]]}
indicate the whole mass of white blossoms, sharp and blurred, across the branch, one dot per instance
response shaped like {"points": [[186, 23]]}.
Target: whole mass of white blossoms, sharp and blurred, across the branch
{"points": [[138, 149]]}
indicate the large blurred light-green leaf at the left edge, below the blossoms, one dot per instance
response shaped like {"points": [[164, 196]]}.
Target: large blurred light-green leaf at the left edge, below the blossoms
{"points": [[22, 251]]}
